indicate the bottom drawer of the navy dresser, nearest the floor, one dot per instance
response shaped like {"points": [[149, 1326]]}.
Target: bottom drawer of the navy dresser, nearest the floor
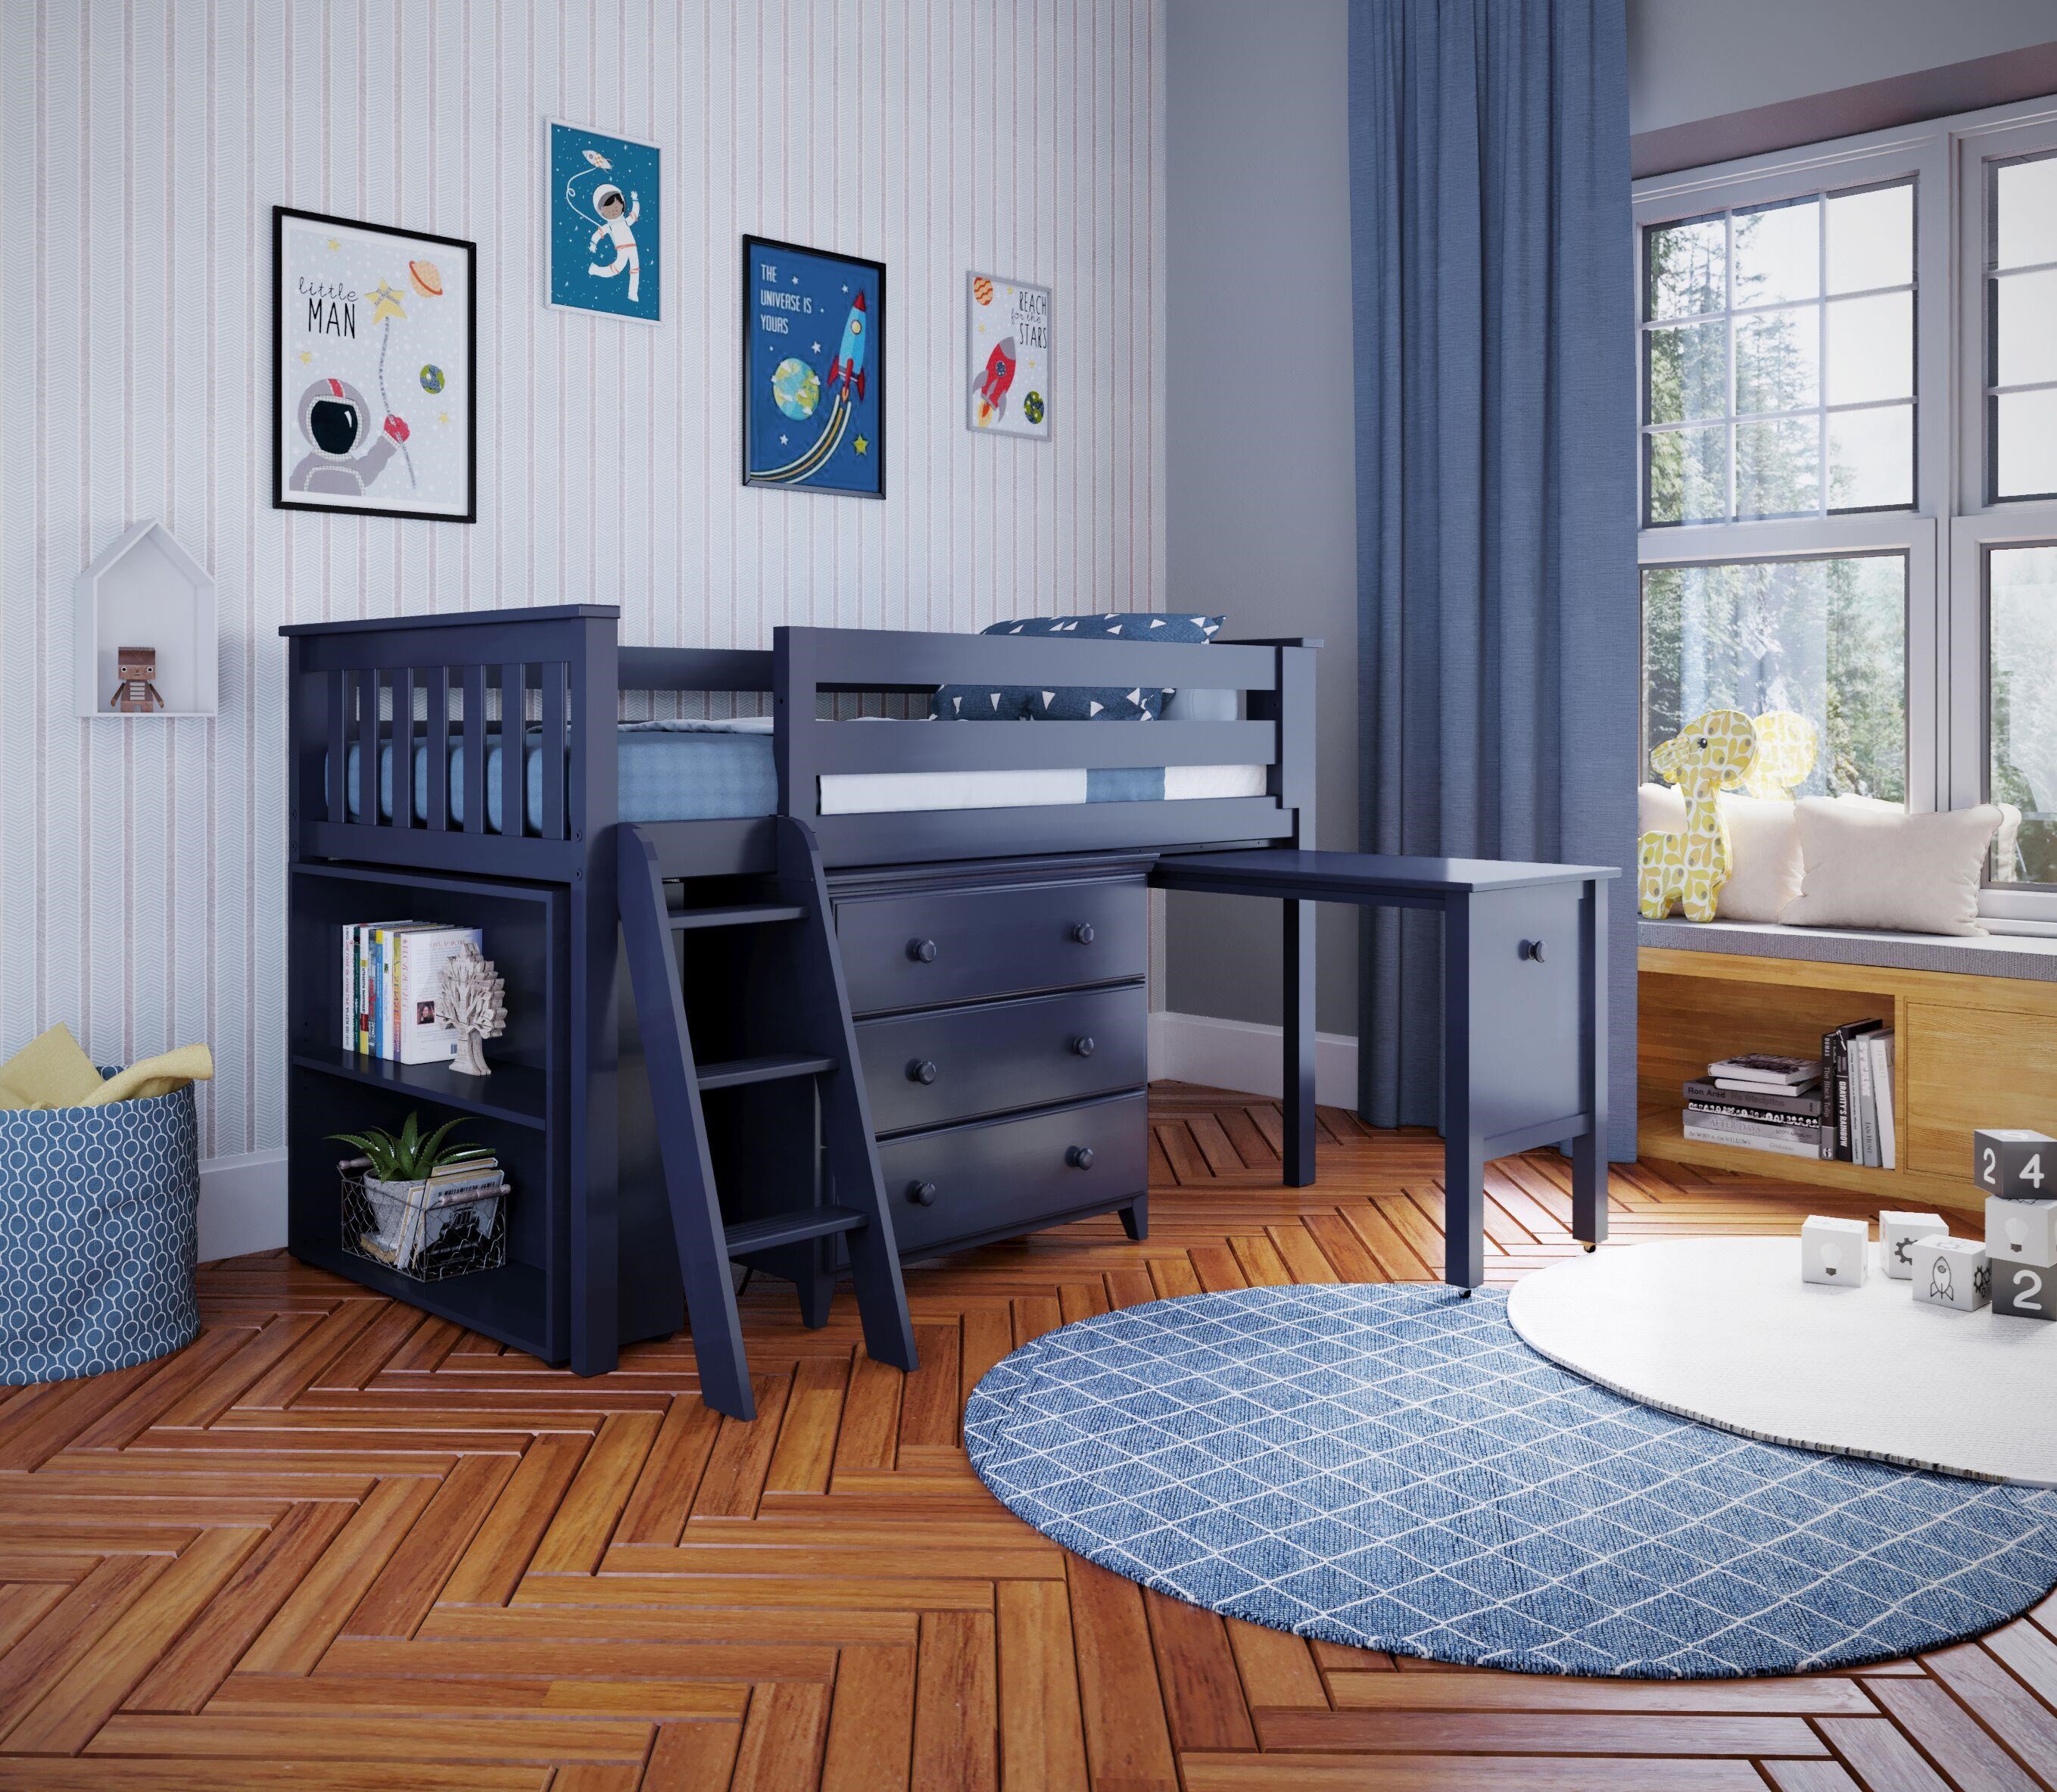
{"points": [[1013, 1176]]}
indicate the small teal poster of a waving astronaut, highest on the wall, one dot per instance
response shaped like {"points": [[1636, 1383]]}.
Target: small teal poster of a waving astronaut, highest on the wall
{"points": [[602, 223]]}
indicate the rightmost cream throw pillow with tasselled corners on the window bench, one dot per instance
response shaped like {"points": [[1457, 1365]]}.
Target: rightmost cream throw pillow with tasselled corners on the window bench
{"points": [[1873, 865]]}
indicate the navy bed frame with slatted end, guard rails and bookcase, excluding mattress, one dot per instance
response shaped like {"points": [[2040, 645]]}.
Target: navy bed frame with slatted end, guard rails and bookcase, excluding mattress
{"points": [[579, 1279]]}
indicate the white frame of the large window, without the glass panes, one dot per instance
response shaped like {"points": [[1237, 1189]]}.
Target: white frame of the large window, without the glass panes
{"points": [[1951, 530]]}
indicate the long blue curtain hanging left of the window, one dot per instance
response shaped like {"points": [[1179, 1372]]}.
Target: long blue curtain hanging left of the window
{"points": [[1499, 612]]}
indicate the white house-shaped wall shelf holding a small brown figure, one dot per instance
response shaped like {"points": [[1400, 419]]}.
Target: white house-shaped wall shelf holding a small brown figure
{"points": [[145, 592]]}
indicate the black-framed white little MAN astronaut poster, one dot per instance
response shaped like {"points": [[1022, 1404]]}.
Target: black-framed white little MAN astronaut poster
{"points": [[373, 355]]}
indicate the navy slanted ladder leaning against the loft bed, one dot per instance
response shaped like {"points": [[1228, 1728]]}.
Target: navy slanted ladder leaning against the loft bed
{"points": [[799, 943]]}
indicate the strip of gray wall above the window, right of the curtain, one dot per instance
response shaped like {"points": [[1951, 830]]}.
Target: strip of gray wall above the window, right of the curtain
{"points": [[1708, 59]]}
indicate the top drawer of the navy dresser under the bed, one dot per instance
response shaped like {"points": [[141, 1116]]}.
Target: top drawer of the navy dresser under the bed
{"points": [[914, 952]]}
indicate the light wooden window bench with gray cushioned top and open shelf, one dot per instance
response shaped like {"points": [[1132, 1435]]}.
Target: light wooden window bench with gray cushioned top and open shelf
{"points": [[1976, 1022]]}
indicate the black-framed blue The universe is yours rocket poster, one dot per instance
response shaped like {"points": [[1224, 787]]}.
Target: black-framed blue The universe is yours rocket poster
{"points": [[814, 369]]}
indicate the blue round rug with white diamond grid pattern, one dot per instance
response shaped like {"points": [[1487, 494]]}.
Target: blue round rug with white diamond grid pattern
{"points": [[1394, 1468]]}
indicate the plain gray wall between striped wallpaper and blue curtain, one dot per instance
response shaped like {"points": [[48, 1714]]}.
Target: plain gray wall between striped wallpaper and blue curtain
{"points": [[1260, 515]]}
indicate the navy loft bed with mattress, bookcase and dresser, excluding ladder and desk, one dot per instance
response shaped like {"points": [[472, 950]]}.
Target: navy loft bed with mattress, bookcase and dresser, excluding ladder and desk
{"points": [[400, 799]]}
